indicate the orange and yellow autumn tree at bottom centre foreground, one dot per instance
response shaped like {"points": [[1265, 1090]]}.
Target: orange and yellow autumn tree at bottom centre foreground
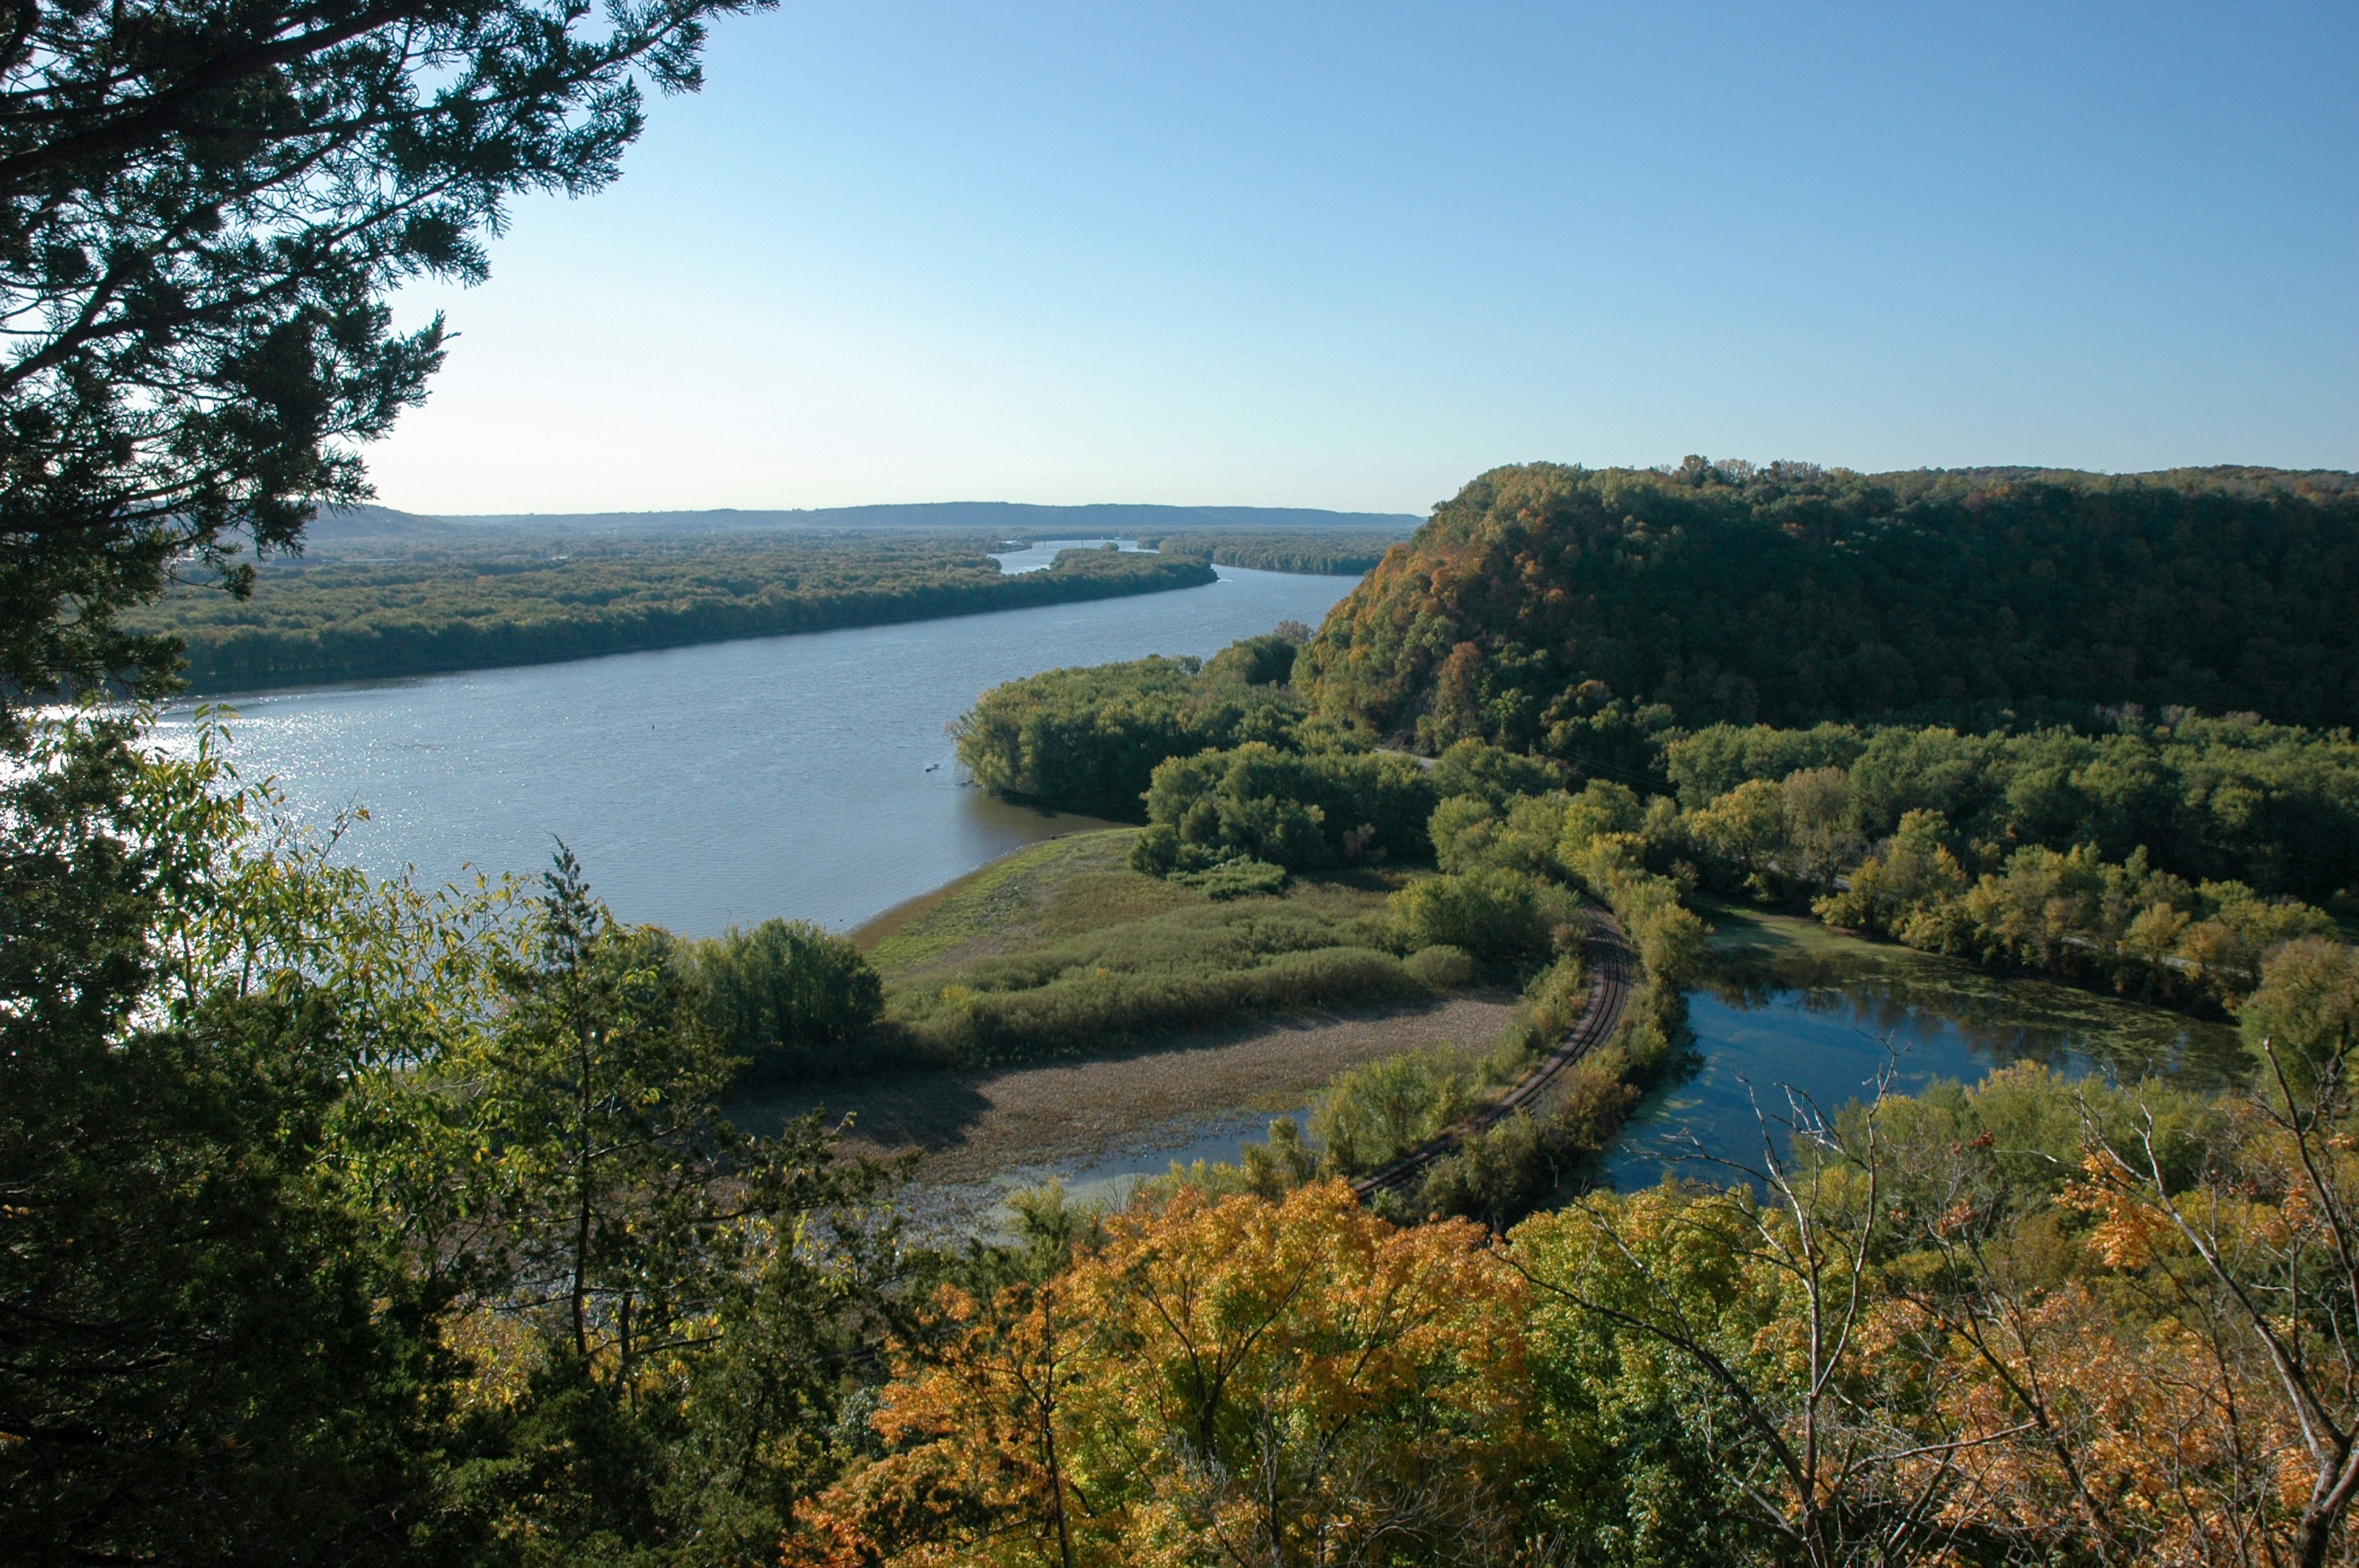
{"points": [[1216, 1383]]}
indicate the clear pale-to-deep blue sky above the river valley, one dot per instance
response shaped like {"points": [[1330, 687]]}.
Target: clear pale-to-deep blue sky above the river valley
{"points": [[1353, 256]]}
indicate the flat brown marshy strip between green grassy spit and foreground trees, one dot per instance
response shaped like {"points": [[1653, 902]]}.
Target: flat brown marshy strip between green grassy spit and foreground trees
{"points": [[1070, 1114]]}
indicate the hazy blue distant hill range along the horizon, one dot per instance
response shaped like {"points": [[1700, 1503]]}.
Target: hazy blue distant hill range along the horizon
{"points": [[1001, 518]]}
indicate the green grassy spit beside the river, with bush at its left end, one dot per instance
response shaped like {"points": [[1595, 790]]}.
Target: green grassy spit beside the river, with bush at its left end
{"points": [[1056, 951]]}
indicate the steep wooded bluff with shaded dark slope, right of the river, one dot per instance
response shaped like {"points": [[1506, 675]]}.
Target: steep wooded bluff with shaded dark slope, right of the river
{"points": [[1556, 607]]}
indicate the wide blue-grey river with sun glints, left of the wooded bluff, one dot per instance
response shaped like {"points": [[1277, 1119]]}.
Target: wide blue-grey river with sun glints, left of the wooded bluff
{"points": [[725, 784]]}
